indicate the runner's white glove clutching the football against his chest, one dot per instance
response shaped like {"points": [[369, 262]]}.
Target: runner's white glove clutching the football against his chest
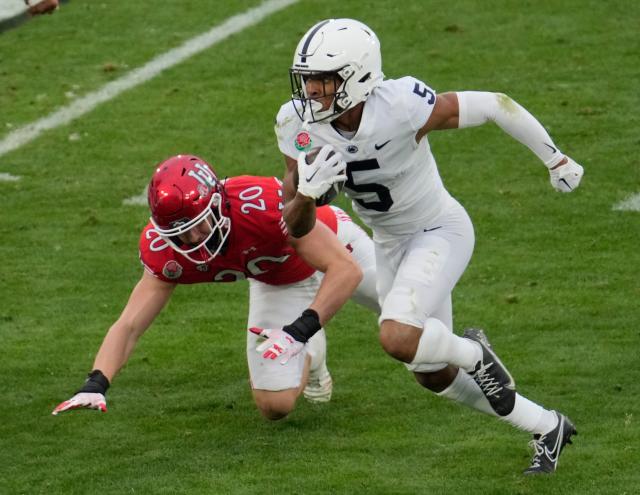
{"points": [[327, 168]]}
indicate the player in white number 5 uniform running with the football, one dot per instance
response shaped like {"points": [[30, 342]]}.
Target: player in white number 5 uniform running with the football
{"points": [[423, 236]]}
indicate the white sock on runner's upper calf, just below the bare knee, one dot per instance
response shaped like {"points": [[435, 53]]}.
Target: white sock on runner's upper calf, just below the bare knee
{"points": [[439, 345]]}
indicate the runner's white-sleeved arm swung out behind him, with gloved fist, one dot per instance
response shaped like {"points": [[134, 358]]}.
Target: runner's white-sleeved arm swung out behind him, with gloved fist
{"points": [[473, 108]]}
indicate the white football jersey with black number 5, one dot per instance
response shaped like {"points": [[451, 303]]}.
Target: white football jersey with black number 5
{"points": [[393, 181]]}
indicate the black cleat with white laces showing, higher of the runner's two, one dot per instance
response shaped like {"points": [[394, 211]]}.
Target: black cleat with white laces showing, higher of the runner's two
{"points": [[492, 376]]}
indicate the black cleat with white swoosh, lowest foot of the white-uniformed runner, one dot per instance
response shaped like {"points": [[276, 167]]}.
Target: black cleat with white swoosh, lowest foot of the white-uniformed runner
{"points": [[547, 447]]}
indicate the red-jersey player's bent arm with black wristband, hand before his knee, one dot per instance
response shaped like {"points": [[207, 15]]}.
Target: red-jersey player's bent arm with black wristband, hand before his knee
{"points": [[321, 249]]}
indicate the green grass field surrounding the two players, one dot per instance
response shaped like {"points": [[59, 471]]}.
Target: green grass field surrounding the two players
{"points": [[554, 279]]}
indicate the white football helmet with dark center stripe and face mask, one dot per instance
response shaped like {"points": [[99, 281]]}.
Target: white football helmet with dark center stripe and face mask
{"points": [[336, 47]]}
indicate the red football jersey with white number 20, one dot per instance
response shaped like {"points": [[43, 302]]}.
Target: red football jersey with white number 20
{"points": [[257, 245]]}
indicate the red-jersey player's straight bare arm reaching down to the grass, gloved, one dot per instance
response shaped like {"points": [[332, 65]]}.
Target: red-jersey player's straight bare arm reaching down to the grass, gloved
{"points": [[146, 301]]}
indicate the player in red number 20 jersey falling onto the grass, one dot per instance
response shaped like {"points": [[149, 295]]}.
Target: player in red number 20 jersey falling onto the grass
{"points": [[206, 230]]}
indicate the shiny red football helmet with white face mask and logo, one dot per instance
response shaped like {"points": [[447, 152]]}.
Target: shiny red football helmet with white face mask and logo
{"points": [[186, 202]]}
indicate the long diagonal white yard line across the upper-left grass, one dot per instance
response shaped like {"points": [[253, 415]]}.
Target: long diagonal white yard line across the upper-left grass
{"points": [[85, 104]]}
